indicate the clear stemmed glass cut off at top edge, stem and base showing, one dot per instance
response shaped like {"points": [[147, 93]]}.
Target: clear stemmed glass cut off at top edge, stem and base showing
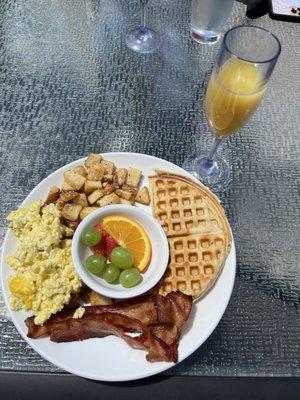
{"points": [[143, 39]]}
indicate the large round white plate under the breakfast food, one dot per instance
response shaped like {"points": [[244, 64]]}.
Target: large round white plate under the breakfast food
{"points": [[110, 358]]}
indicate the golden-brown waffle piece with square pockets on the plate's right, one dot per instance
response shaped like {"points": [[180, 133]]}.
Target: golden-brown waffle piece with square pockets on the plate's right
{"points": [[197, 230]]}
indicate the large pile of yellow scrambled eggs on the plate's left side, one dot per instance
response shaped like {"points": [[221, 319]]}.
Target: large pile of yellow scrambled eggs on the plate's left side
{"points": [[45, 275]]}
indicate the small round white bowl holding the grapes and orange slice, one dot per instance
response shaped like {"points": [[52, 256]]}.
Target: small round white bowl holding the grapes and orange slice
{"points": [[159, 256]]}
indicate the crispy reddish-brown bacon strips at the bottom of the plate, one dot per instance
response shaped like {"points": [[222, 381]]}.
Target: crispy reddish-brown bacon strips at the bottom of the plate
{"points": [[156, 319]]}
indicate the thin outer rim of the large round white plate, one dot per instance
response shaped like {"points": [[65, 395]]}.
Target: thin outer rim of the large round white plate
{"points": [[165, 366]]}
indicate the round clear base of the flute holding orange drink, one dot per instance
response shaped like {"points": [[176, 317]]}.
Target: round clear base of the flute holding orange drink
{"points": [[214, 174]]}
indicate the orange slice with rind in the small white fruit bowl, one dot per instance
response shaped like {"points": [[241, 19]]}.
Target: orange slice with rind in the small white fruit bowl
{"points": [[129, 233]]}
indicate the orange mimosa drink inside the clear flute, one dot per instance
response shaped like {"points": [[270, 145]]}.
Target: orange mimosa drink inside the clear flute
{"points": [[232, 96]]}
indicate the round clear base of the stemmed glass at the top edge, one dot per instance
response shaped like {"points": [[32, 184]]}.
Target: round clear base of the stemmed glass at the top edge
{"points": [[143, 40]]}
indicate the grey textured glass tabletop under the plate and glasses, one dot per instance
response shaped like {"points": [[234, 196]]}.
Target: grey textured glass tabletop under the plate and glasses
{"points": [[69, 86]]}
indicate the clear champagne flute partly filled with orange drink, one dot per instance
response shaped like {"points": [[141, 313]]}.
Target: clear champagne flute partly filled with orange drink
{"points": [[238, 81]]}
